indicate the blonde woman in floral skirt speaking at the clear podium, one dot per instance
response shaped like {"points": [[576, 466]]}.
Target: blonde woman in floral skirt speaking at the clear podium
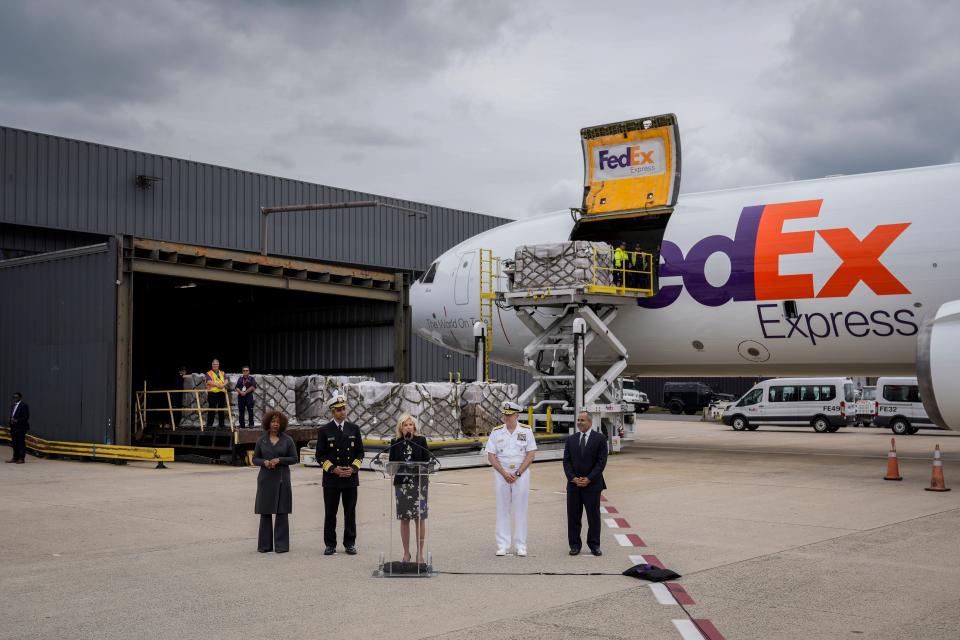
{"points": [[410, 490]]}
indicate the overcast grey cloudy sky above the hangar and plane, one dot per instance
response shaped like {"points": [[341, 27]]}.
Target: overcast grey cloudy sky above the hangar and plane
{"points": [[478, 105]]}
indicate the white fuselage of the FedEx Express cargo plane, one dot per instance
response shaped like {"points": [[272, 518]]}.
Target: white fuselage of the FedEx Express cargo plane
{"points": [[865, 258]]}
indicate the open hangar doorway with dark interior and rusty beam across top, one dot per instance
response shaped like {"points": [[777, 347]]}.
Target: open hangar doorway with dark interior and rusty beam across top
{"points": [[190, 304]]}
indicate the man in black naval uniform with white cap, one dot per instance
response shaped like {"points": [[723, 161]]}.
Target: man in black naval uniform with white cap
{"points": [[340, 453]]}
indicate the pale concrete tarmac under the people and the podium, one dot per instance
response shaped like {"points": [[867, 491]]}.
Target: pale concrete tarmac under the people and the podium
{"points": [[779, 533]]}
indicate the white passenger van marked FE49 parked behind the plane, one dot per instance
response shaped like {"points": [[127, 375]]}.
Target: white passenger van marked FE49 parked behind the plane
{"points": [[826, 404]]}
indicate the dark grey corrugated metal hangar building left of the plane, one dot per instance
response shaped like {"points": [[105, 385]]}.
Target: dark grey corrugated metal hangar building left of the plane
{"points": [[118, 266]]}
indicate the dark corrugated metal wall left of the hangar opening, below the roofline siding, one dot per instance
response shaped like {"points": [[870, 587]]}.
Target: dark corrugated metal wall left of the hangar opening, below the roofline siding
{"points": [[57, 341]]}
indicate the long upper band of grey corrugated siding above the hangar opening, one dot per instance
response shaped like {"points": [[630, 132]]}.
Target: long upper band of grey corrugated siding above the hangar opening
{"points": [[81, 186]]}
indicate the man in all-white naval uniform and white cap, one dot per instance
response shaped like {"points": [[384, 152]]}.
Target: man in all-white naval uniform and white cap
{"points": [[510, 449]]}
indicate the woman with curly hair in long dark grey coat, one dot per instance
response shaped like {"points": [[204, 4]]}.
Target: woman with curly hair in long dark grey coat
{"points": [[274, 453]]}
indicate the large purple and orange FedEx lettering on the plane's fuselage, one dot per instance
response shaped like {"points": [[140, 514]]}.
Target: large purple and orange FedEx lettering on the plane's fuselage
{"points": [[754, 253]]}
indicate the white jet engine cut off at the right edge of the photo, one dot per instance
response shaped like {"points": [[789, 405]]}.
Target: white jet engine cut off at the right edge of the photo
{"points": [[938, 365]]}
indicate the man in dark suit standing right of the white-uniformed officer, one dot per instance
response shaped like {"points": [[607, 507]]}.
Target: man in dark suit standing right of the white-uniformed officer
{"points": [[584, 458]]}
